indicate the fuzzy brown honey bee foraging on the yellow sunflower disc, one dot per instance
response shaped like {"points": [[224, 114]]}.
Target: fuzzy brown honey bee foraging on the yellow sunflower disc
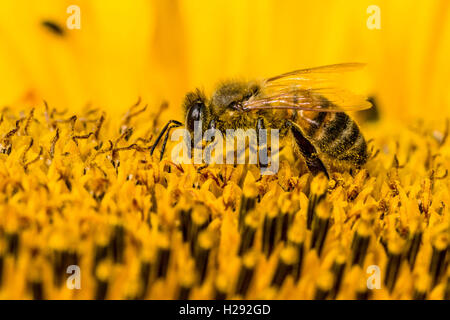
{"points": [[306, 106]]}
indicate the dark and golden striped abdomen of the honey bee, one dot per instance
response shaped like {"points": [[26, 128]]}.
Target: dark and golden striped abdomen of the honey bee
{"points": [[335, 134]]}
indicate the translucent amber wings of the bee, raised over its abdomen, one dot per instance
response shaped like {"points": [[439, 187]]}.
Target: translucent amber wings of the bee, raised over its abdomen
{"points": [[305, 89]]}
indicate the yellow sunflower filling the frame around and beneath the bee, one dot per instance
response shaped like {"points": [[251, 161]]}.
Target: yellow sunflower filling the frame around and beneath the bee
{"points": [[82, 190]]}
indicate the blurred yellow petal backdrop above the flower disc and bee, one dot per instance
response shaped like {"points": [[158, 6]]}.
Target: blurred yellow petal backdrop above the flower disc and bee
{"points": [[160, 49]]}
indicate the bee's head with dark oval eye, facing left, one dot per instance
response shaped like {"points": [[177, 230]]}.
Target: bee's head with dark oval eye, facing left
{"points": [[196, 111]]}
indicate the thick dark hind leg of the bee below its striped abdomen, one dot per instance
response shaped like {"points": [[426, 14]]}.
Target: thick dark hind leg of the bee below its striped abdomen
{"points": [[315, 165]]}
